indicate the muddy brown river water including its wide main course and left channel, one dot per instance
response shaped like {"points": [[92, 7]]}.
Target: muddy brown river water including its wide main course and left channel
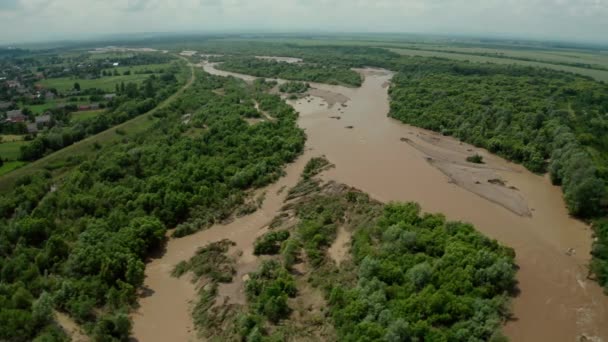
{"points": [[557, 302]]}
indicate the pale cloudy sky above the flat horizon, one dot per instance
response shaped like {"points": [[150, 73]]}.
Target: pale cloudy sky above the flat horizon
{"points": [[40, 20]]}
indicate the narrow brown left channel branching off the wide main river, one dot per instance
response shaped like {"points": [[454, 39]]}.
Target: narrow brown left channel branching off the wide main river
{"points": [[164, 312]]}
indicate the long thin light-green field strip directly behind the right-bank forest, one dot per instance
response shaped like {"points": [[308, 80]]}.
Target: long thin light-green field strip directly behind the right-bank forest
{"points": [[600, 75]]}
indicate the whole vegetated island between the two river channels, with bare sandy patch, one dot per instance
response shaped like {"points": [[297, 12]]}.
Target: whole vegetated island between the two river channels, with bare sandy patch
{"points": [[416, 276]]}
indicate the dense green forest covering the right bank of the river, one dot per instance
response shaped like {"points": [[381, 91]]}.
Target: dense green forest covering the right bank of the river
{"points": [[527, 115]]}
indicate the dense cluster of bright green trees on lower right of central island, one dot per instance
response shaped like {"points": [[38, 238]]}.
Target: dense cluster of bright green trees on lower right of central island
{"points": [[420, 277]]}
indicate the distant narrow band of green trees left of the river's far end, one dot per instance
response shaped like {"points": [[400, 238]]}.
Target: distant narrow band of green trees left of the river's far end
{"points": [[321, 73]]}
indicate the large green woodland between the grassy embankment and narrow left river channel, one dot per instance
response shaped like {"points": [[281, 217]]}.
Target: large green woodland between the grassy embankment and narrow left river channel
{"points": [[77, 244]]}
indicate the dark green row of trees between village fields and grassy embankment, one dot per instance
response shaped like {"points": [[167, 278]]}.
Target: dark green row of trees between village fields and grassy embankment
{"points": [[132, 100]]}
